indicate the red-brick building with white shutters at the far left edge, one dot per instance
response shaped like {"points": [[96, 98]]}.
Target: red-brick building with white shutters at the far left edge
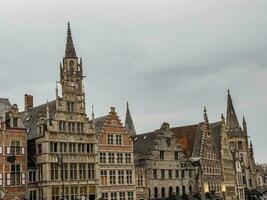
{"points": [[13, 154]]}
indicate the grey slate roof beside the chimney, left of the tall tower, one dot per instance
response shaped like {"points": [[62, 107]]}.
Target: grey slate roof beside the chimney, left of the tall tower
{"points": [[29, 118]]}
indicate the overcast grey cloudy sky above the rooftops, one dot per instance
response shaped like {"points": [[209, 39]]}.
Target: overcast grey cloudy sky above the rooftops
{"points": [[168, 58]]}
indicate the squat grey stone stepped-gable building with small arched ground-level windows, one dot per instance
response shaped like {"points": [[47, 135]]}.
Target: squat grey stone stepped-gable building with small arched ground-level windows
{"points": [[161, 167]]}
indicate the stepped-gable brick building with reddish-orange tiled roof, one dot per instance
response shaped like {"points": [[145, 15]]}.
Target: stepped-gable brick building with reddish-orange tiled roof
{"points": [[198, 143]]}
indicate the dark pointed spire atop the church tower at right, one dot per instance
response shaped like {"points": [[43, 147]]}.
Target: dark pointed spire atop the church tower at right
{"points": [[231, 118]]}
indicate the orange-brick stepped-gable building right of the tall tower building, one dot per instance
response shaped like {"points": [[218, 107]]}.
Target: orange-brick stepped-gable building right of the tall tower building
{"points": [[116, 161]]}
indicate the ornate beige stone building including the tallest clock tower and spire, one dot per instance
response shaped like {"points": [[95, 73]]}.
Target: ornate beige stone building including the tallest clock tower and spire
{"points": [[62, 141]]}
